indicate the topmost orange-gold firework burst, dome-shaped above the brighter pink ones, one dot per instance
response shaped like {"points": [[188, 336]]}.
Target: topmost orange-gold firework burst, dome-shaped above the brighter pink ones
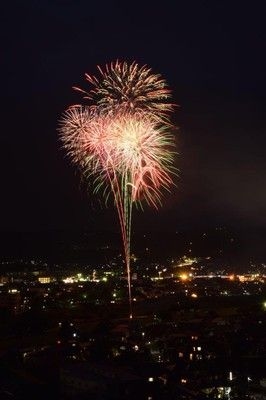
{"points": [[131, 87]]}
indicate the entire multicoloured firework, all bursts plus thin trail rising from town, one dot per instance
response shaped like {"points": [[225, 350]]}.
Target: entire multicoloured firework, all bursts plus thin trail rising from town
{"points": [[122, 143]]}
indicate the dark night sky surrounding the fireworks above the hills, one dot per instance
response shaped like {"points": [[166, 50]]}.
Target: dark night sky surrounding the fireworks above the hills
{"points": [[211, 54]]}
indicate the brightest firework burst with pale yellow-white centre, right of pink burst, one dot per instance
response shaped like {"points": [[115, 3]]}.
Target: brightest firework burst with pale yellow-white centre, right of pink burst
{"points": [[144, 152]]}
